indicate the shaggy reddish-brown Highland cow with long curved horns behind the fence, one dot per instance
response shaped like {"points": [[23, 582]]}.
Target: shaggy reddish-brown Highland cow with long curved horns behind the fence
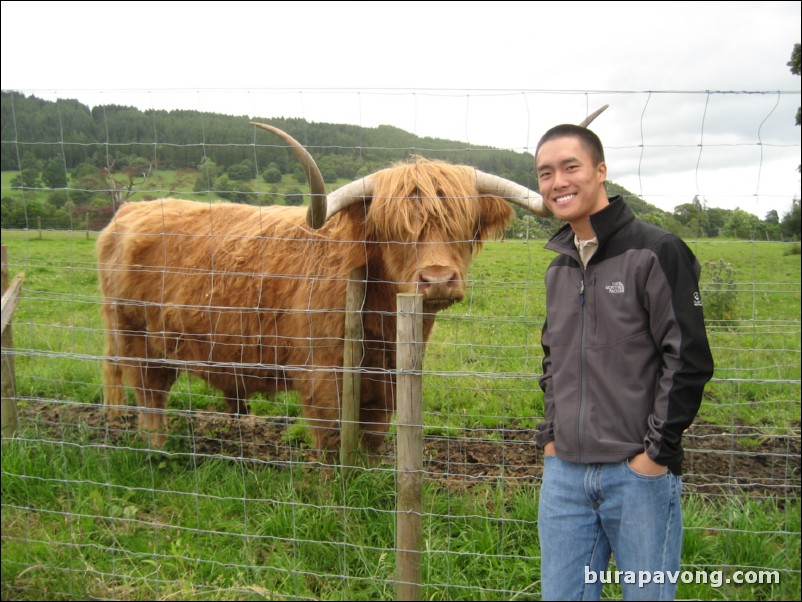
{"points": [[251, 299]]}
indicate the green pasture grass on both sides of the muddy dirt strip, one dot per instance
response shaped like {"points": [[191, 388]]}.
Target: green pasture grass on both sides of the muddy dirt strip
{"points": [[93, 514]]}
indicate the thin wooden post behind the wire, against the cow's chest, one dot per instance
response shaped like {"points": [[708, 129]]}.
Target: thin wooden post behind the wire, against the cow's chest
{"points": [[352, 360]]}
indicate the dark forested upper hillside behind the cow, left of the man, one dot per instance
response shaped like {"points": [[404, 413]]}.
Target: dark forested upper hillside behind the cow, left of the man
{"points": [[181, 139]]}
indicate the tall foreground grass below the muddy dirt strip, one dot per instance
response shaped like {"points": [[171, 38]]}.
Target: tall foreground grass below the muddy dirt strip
{"points": [[85, 521]]}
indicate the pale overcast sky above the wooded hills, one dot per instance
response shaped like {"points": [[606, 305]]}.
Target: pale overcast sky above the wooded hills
{"points": [[681, 78]]}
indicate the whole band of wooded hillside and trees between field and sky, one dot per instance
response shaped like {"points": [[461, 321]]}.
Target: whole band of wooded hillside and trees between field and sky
{"points": [[83, 158]]}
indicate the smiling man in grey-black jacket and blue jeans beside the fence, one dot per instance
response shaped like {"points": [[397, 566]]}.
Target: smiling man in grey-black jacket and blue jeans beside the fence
{"points": [[626, 359]]}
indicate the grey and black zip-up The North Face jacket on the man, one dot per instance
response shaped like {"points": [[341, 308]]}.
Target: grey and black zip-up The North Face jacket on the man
{"points": [[626, 352]]}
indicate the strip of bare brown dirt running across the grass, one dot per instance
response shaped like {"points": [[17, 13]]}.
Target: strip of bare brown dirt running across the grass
{"points": [[724, 460]]}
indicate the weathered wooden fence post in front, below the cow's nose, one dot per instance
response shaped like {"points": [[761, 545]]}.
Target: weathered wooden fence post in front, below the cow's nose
{"points": [[409, 386]]}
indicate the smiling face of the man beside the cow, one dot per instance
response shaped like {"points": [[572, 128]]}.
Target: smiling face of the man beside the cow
{"points": [[571, 185]]}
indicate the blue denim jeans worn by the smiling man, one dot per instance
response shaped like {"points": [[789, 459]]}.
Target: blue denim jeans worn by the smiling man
{"points": [[588, 511]]}
